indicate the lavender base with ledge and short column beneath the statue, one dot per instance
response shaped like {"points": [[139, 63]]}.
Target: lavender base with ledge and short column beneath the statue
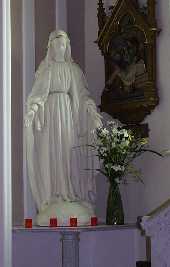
{"points": [[86, 246]]}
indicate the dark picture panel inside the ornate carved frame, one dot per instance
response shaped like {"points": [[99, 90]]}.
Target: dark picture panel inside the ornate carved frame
{"points": [[127, 67]]}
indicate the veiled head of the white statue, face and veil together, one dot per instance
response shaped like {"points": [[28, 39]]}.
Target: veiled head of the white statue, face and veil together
{"points": [[59, 45]]}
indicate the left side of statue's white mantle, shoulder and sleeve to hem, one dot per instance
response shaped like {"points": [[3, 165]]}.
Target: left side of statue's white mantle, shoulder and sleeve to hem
{"points": [[36, 101]]}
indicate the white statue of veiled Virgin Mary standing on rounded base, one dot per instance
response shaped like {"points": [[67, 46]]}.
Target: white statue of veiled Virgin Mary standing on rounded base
{"points": [[59, 122]]}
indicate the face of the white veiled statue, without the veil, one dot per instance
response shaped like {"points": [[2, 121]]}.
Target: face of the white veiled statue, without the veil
{"points": [[59, 46]]}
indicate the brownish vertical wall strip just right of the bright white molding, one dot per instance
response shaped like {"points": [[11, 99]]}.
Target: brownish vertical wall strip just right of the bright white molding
{"points": [[17, 112]]}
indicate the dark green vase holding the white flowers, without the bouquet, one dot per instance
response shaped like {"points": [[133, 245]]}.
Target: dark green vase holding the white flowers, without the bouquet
{"points": [[114, 214]]}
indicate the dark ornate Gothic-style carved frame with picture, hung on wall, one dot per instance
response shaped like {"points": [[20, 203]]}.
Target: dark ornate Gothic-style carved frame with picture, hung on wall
{"points": [[127, 40]]}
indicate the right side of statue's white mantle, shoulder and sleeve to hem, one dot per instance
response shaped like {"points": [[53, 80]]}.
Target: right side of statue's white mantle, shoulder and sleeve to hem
{"points": [[86, 119]]}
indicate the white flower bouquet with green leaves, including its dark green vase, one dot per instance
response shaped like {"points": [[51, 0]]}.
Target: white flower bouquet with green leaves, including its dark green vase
{"points": [[116, 148]]}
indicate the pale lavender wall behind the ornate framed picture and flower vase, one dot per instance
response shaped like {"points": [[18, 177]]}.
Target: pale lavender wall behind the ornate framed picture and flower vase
{"points": [[138, 199]]}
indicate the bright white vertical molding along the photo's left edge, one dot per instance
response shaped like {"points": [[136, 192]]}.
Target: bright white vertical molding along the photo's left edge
{"points": [[5, 135]]}
